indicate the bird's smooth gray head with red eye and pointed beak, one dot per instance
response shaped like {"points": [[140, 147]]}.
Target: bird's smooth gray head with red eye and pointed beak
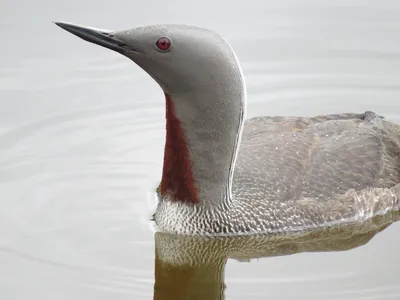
{"points": [[179, 57]]}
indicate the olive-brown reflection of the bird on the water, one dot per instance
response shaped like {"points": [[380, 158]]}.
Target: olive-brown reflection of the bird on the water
{"points": [[193, 267]]}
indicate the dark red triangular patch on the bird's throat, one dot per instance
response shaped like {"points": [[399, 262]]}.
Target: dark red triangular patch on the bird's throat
{"points": [[177, 176]]}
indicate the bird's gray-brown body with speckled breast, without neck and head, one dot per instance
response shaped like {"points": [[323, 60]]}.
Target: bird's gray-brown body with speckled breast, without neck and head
{"points": [[296, 174]]}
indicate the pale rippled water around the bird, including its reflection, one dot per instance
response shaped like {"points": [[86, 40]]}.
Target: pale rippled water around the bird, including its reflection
{"points": [[81, 141]]}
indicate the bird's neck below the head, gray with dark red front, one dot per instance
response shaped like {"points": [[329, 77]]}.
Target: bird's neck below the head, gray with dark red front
{"points": [[201, 148]]}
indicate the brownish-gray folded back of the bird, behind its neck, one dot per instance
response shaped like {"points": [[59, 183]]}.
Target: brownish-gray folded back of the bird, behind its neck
{"points": [[292, 158]]}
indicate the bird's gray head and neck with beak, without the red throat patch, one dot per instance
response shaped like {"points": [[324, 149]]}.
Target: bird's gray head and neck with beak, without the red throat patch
{"points": [[199, 72]]}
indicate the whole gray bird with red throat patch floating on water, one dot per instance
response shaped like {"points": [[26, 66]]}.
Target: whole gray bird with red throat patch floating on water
{"points": [[225, 175]]}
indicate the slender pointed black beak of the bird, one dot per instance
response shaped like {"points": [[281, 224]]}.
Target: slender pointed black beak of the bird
{"points": [[96, 36]]}
